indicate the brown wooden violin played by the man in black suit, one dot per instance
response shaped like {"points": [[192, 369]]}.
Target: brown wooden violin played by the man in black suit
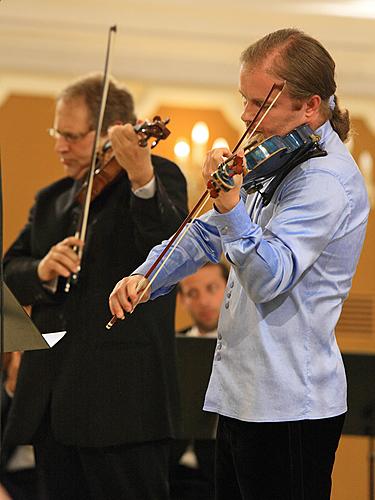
{"points": [[108, 169]]}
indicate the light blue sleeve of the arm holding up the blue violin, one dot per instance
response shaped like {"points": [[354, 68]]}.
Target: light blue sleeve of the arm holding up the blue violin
{"points": [[310, 211]]}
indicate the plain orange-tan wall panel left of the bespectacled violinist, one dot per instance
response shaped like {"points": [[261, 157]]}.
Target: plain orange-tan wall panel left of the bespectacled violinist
{"points": [[28, 159]]}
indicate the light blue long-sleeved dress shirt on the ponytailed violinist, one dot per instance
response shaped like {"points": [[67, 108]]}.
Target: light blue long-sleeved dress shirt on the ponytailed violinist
{"points": [[292, 267]]}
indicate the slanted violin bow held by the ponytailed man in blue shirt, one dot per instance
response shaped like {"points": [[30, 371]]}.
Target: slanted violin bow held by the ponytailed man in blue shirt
{"points": [[196, 210]]}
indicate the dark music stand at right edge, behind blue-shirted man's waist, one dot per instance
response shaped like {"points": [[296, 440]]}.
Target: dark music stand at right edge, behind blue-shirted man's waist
{"points": [[360, 419]]}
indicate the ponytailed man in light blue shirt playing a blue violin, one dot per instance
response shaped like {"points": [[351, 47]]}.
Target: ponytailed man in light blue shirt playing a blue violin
{"points": [[278, 381]]}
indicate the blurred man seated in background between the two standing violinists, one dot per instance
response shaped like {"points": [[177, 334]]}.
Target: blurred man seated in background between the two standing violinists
{"points": [[192, 461]]}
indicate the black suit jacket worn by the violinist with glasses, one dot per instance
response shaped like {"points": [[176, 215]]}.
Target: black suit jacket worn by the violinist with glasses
{"points": [[100, 387]]}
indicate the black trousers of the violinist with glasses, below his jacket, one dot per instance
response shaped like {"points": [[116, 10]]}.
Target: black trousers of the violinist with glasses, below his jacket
{"points": [[124, 472]]}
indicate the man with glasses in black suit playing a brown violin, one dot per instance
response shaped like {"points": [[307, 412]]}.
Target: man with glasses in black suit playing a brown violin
{"points": [[99, 407]]}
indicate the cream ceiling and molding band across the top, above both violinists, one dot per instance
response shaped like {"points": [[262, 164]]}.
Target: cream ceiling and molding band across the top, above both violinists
{"points": [[180, 43]]}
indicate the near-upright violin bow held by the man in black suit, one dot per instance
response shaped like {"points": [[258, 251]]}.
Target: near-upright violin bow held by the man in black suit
{"points": [[81, 234]]}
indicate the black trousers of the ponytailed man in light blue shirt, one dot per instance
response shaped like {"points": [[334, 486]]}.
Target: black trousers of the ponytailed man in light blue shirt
{"points": [[276, 461]]}
